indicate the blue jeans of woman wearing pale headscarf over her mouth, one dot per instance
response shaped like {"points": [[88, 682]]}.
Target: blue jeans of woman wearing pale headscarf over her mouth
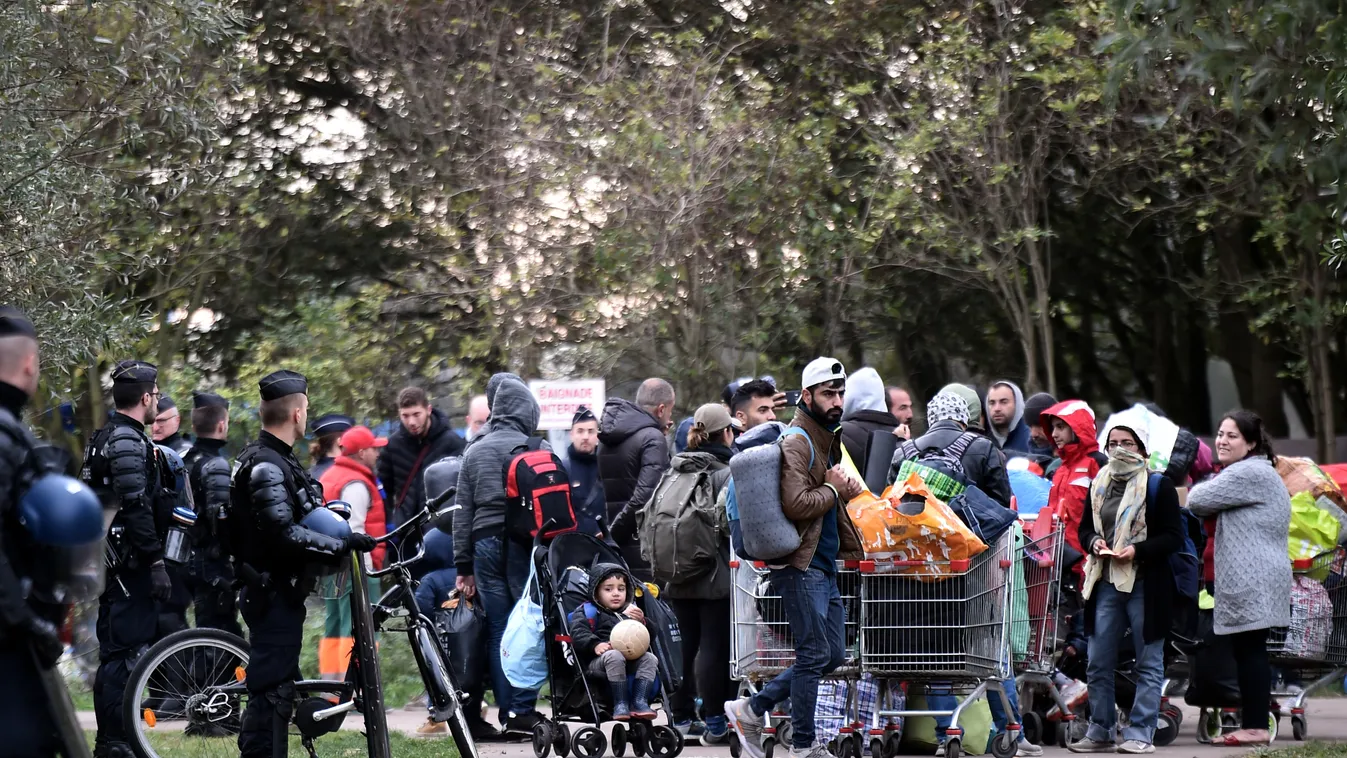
{"points": [[1115, 615]]}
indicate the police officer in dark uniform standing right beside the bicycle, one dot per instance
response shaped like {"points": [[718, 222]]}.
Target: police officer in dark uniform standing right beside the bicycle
{"points": [[270, 497]]}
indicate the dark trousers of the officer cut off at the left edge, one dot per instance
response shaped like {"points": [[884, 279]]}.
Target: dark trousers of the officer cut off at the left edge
{"points": [[25, 716]]}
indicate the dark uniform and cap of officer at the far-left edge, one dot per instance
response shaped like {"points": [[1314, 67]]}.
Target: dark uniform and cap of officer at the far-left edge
{"points": [[26, 722]]}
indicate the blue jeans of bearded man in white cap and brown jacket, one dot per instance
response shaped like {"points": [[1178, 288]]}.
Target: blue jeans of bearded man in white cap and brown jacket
{"points": [[818, 624]]}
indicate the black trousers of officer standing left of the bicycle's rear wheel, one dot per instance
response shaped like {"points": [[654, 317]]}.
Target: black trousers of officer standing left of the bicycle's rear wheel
{"points": [[127, 625]]}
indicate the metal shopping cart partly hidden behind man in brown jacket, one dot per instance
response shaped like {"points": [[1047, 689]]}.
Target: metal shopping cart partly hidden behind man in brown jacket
{"points": [[762, 646]]}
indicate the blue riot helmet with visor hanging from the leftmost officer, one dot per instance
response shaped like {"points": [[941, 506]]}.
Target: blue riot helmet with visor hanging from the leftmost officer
{"points": [[68, 524]]}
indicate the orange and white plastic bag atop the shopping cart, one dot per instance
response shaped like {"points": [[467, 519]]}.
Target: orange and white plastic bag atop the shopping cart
{"points": [[935, 535]]}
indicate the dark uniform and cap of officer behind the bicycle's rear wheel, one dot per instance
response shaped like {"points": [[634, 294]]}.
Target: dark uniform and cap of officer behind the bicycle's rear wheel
{"points": [[212, 574]]}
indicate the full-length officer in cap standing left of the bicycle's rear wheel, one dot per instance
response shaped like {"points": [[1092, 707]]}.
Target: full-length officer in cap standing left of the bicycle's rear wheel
{"points": [[123, 469]]}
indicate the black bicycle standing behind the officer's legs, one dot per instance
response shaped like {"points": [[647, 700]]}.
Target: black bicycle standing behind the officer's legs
{"points": [[188, 693]]}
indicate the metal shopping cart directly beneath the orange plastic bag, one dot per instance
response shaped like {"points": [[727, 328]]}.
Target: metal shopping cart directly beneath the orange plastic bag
{"points": [[940, 625]]}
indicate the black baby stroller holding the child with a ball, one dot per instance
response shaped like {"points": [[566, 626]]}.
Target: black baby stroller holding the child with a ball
{"points": [[564, 582]]}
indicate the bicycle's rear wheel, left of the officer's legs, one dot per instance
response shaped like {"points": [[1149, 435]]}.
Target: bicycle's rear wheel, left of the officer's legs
{"points": [[187, 697]]}
